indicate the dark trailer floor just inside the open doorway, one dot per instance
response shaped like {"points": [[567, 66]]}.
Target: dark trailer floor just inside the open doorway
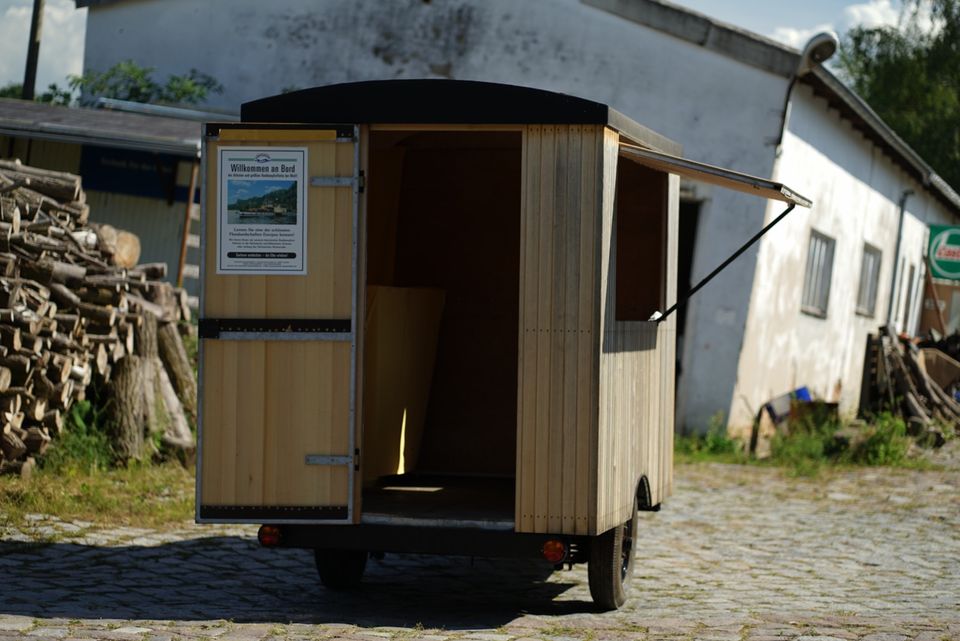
{"points": [[449, 501]]}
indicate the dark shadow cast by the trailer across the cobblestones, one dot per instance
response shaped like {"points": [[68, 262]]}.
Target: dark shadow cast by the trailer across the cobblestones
{"points": [[232, 578]]}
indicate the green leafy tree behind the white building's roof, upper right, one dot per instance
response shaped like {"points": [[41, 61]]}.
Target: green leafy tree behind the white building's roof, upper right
{"points": [[910, 75]]}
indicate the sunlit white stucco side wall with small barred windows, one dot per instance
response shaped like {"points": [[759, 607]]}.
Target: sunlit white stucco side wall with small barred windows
{"points": [[856, 192]]}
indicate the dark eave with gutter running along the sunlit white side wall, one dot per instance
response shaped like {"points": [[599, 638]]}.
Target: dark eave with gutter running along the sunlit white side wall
{"points": [[865, 119]]}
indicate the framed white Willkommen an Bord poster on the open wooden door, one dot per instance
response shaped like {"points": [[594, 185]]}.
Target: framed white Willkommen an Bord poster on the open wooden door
{"points": [[262, 207]]}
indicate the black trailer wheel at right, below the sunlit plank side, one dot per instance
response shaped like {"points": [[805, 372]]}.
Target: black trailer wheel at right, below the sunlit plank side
{"points": [[611, 564]]}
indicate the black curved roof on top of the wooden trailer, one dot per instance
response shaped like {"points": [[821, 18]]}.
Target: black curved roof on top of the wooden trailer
{"points": [[437, 101]]}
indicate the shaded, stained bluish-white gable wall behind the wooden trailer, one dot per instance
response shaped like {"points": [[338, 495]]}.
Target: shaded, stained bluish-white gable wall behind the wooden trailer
{"points": [[722, 111]]}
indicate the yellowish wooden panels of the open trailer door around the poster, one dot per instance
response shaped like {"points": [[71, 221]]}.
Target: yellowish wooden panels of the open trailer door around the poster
{"points": [[267, 404]]}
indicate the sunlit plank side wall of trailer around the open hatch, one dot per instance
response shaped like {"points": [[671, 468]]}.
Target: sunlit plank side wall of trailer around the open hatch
{"points": [[636, 396]]}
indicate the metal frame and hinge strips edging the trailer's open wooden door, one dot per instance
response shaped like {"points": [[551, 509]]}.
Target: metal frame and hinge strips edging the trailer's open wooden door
{"points": [[351, 336]]}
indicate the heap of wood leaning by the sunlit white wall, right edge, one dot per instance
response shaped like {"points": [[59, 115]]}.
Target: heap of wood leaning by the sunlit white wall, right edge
{"points": [[895, 379]]}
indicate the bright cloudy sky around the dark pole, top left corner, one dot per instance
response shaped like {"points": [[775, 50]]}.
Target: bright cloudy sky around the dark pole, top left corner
{"points": [[61, 44]]}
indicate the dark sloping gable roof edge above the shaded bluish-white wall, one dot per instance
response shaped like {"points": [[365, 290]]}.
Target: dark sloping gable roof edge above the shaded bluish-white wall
{"points": [[696, 28]]}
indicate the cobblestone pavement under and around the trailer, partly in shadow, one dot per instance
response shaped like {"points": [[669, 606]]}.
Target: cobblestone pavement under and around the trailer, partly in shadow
{"points": [[737, 554]]}
